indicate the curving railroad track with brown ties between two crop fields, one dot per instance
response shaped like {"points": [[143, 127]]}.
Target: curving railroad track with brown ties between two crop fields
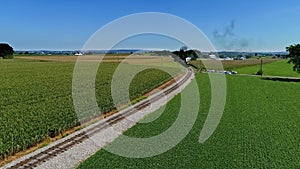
{"points": [[67, 144]]}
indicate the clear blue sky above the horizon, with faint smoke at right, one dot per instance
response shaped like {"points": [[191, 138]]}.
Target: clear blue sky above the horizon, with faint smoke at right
{"points": [[261, 25]]}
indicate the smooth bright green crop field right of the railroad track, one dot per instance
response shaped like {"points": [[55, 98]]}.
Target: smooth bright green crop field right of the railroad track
{"points": [[259, 129]]}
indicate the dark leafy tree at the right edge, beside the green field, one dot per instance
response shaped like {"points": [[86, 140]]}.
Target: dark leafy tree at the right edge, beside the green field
{"points": [[294, 55]]}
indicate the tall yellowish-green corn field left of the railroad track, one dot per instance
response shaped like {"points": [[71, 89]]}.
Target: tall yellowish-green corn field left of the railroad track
{"points": [[36, 99]]}
